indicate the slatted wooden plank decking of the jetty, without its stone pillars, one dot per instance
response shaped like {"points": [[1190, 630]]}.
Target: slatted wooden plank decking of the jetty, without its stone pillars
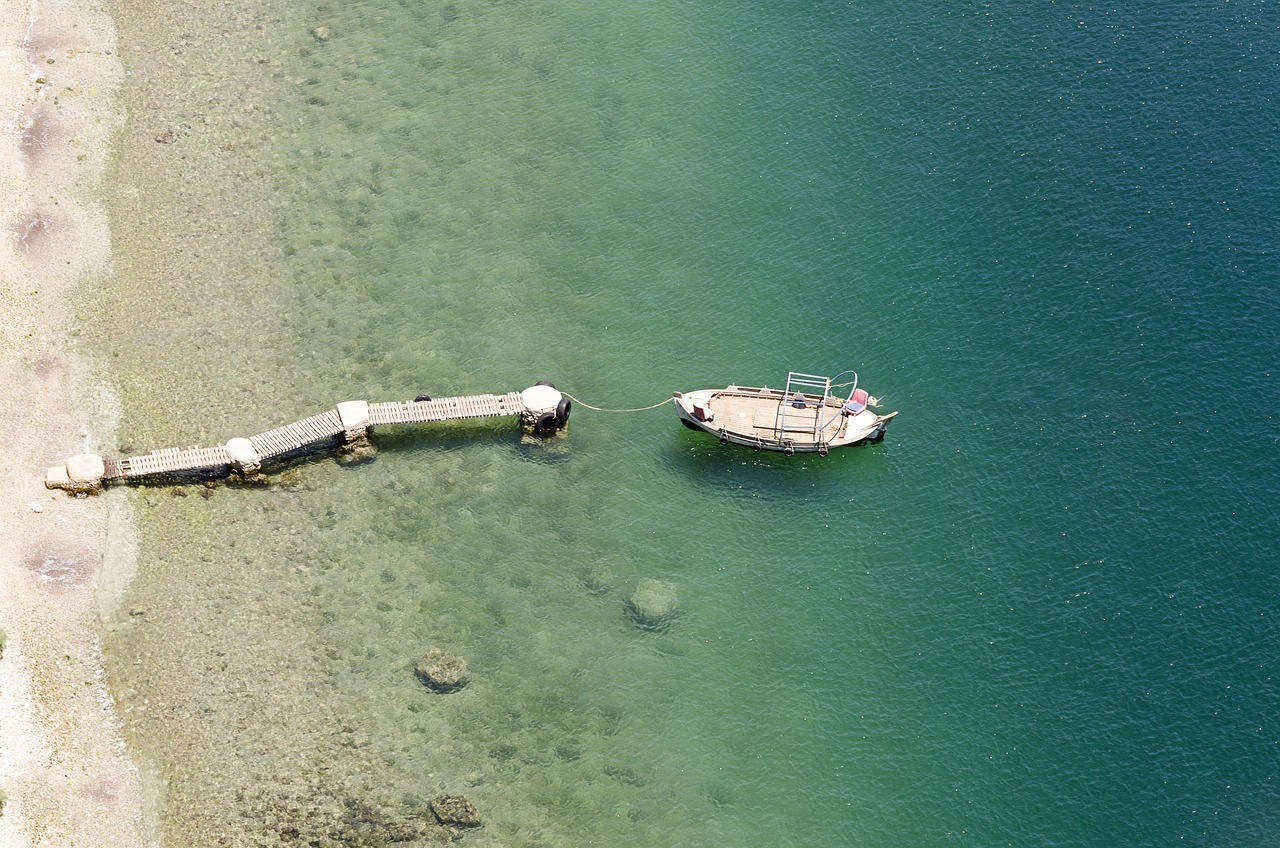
{"points": [[313, 432]]}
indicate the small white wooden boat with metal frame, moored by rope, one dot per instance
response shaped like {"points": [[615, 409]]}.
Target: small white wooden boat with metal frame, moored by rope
{"points": [[807, 417]]}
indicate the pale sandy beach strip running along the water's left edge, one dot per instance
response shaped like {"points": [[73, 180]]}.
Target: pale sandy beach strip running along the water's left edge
{"points": [[66, 774]]}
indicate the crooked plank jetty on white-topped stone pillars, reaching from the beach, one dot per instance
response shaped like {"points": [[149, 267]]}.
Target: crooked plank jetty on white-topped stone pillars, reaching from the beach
{"points": [[541, 408]]}
